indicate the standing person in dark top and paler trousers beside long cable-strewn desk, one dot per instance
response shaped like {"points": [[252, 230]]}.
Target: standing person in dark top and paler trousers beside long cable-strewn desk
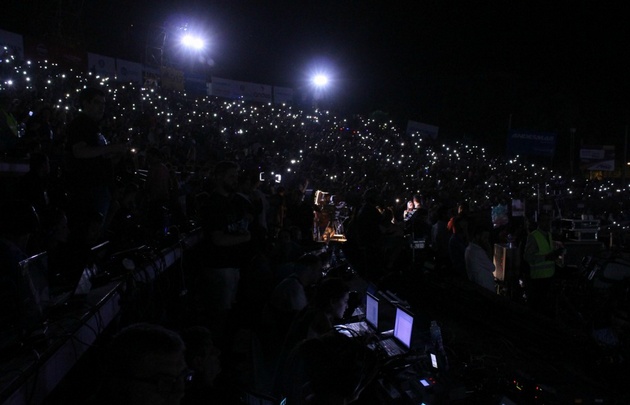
{"points": [[226, 228]]}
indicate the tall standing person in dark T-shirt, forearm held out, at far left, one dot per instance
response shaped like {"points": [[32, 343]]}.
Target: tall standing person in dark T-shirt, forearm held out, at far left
{"points": [[89, 158]]}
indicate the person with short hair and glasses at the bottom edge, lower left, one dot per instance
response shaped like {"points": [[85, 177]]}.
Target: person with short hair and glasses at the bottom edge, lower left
{"points": [[144, 365]]}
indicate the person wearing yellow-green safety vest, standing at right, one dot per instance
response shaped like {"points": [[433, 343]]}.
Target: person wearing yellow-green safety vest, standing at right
{"points": [[541, 253]]}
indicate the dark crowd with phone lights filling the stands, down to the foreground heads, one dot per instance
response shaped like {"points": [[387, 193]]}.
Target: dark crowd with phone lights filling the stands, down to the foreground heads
{"points": [[130, 163]]}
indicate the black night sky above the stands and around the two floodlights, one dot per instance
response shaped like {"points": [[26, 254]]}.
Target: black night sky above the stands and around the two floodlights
{"points": [[464, 66]]}
